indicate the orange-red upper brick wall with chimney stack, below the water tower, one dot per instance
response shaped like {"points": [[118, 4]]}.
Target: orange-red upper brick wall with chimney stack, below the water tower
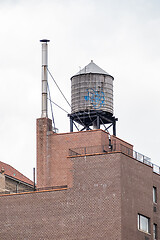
{"points": [[53, 166]]}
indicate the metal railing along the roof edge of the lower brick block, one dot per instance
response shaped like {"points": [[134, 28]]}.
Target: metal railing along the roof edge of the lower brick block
{"points": [[102, 149]]}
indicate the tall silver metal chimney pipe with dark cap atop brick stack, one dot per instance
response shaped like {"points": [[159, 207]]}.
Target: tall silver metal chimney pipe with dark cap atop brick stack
{"points": [[44, 77]]}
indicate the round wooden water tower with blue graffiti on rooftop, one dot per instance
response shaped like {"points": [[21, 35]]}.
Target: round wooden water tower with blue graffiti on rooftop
{"points": [[92, 99]]}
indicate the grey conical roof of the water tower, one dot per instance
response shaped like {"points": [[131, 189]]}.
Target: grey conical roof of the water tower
{"points": [[92, 68]]}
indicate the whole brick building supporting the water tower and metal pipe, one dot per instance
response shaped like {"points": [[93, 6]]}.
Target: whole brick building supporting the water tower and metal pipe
{"points": [[86, 191]]}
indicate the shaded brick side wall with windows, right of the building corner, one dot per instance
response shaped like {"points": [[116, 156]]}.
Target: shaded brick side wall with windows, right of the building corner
{"points": [[137, 181]]}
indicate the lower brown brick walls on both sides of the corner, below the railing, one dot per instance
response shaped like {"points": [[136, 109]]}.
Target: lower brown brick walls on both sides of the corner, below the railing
{"points": [[108, 192]]}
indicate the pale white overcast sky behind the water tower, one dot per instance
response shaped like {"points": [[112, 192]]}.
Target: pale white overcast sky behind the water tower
{"points": [[121, 36]]}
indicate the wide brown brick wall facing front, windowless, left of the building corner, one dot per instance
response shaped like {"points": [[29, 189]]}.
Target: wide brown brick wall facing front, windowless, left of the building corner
{"points": [[90, 210]]}
